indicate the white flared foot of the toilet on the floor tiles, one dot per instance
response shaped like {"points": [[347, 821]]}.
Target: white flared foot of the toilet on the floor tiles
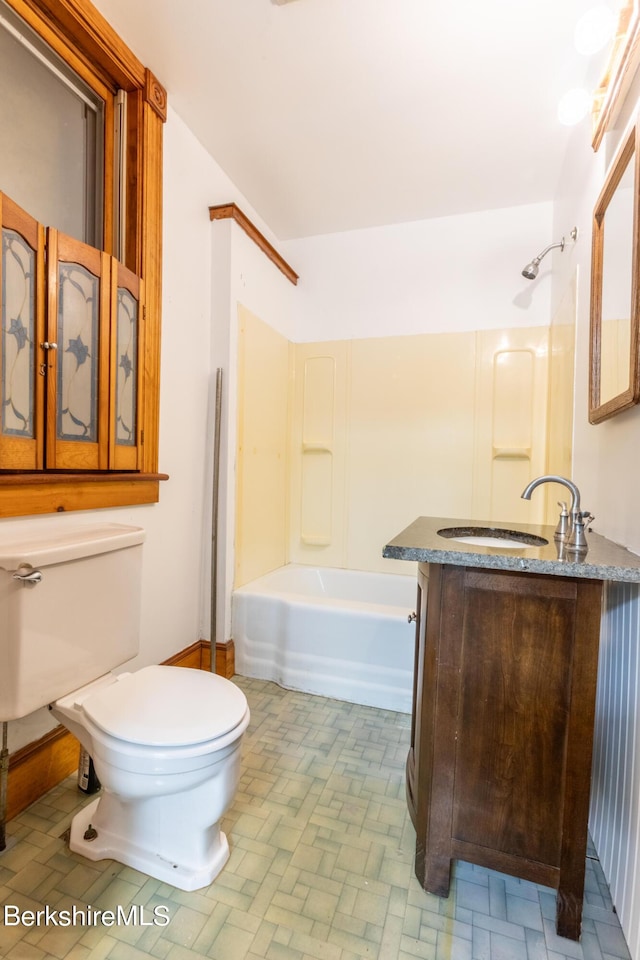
{"points": [[107, 845]]}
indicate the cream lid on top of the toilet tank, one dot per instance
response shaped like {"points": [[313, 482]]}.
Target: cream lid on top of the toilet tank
{"points": [[47, 544]]}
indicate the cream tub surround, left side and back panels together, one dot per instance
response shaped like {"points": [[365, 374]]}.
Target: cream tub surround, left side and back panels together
{"points": [[364, 435]]}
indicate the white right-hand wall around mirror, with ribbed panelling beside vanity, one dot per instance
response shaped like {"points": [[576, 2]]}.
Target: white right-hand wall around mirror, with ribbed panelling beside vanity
{"points": [[606, 465]]}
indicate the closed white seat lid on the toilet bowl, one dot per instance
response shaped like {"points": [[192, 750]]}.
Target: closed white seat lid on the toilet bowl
{"points": [[166, 707]]}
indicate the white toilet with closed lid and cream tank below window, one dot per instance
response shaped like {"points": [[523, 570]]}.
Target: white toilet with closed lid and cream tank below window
{"points": [[165, 741]]}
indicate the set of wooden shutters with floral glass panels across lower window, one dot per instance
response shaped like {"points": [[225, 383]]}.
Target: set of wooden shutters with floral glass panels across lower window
{"points": [[71, 349]]}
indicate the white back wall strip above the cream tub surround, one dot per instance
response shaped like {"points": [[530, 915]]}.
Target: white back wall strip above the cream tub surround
{"points": [[446, 275]]}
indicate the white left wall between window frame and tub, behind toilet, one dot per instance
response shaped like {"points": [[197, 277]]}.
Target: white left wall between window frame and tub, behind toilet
{"points": [[175, 591]]}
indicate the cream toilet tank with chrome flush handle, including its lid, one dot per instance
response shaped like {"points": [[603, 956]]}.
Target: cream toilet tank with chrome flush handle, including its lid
{"points": [[69, 610]]}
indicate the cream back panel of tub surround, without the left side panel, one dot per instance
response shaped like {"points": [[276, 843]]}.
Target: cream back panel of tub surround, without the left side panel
{"points": [[448, 423]]}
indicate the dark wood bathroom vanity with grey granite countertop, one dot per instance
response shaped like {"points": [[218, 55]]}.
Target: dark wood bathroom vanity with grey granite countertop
{"points": [[506, 658]]}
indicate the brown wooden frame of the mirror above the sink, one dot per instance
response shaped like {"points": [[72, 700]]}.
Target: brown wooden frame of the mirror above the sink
{"points": [[627, 153]]}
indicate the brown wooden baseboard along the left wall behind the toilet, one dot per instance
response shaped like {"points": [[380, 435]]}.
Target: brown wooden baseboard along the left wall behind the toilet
{"points": [[41, 765]]}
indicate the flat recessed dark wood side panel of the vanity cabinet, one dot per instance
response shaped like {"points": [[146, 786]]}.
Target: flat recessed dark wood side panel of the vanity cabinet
{"points": [[514, 699]]}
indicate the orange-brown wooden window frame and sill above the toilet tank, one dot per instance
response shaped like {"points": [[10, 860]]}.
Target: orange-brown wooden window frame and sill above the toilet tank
{"points": [[79, 33]]}
